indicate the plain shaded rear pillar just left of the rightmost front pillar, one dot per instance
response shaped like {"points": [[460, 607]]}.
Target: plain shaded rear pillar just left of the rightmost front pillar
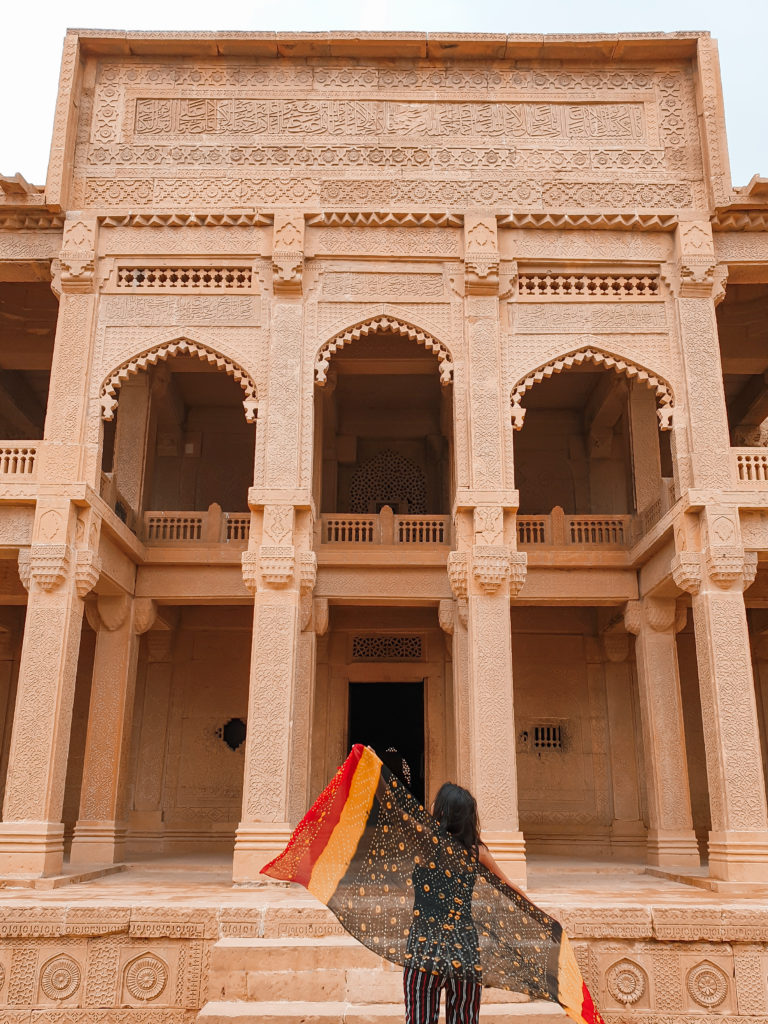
{"points": [[671, 836]]}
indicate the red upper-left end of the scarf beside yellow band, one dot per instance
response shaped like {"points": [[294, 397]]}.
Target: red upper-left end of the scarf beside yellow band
{"points": [[314, 832]]}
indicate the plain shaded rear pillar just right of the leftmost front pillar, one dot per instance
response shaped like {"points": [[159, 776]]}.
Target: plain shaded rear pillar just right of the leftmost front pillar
{"points": [[100, 833]]}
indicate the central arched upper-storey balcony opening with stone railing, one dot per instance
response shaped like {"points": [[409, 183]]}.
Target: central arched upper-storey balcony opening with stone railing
{"points": [[383, 450]]}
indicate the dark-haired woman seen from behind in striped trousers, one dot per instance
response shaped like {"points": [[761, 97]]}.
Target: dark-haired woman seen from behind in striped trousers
{"points": [[444, 932]]}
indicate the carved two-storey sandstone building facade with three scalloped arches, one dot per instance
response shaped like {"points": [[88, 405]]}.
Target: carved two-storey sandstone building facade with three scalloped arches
{"points": [[391, 389]]}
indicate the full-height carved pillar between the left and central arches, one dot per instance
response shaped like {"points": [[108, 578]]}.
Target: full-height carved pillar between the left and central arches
{"points": [[280, 569]]}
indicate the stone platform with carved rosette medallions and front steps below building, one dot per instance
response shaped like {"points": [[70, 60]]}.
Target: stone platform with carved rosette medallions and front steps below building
{"points": [[174, 942]]}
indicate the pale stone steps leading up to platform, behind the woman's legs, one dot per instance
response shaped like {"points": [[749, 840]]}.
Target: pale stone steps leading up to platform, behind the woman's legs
{"points": [[326, 980]]}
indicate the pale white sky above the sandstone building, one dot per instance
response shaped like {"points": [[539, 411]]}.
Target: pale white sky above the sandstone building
{"points": [[31, 34]]}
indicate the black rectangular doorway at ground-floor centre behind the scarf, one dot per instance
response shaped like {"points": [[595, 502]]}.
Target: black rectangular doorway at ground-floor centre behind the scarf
{"points": [[383, 715]]}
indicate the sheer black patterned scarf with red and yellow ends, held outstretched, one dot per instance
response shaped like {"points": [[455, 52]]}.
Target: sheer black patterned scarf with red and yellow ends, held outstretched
{"points": [[406, 889]]}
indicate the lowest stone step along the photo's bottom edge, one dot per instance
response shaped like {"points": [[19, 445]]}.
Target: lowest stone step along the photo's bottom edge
{"points": [[539, 1012]]}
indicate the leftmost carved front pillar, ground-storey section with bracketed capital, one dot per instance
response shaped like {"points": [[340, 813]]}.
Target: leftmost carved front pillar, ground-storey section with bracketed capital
{"points": [[58, 575]]}
